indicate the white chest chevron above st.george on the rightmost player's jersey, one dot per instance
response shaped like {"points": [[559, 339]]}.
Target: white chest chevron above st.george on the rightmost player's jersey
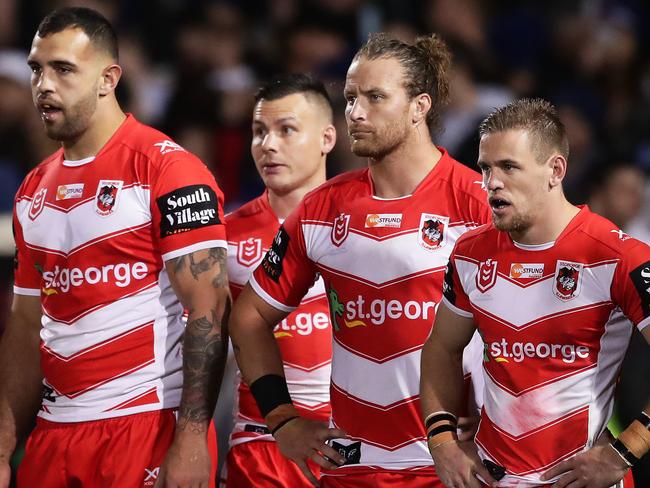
{"points": [[538, 300]]}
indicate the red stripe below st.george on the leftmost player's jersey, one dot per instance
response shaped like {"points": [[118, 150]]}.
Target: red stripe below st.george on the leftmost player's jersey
{"points": [[71, 376]]}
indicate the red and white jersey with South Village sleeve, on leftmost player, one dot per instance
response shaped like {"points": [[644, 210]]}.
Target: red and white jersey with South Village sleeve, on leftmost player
{"points": [[92, 237]]}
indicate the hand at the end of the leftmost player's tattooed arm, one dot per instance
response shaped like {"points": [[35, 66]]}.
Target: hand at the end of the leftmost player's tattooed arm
{"points": [[187, 463]]}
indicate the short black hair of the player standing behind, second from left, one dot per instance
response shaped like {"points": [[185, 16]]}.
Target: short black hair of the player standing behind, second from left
{"points": [[288, 84]]}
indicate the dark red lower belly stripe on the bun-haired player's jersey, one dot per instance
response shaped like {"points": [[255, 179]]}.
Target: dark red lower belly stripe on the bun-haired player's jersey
{"points": [[389, 427]]}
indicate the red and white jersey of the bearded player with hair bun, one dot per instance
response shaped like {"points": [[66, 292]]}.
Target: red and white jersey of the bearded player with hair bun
{"points": [[383, 263]]}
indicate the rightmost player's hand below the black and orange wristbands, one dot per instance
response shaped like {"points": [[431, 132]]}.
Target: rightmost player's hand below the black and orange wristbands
{"points": [[457, 465]]}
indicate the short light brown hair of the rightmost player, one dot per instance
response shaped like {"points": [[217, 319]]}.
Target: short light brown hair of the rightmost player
{"points": [[539, 117]]}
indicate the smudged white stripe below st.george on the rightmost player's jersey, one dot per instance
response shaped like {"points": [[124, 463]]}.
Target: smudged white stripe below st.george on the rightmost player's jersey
{"points": [[522, 415]]}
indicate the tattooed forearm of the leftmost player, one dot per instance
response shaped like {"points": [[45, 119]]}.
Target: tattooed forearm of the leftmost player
{"points": [[205, 349]]}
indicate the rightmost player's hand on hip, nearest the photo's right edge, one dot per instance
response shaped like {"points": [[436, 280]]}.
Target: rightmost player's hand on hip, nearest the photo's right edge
{"points": [[600, 466]]}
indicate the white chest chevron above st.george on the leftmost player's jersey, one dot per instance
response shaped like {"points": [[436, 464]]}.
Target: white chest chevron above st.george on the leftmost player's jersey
{"points": [[52, 230]]}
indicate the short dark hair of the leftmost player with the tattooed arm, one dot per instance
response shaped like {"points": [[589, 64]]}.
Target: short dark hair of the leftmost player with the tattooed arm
{"points": [[92, 23]]}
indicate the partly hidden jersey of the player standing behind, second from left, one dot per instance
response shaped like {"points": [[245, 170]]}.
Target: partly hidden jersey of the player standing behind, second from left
{"points": [[304, 336]]}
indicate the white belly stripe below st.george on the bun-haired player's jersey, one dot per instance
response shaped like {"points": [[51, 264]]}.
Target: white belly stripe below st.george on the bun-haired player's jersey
{"points": [[377, 383]]}
